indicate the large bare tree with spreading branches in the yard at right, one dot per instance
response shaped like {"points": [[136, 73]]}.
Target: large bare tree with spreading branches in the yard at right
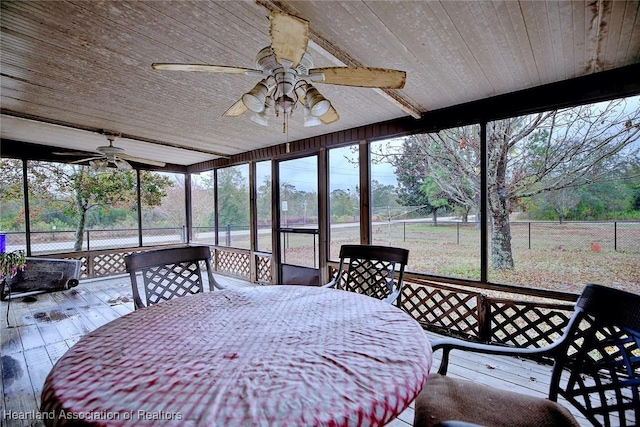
{"points": [[528, 155]]}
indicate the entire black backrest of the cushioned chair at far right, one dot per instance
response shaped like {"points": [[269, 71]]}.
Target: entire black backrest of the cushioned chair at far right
{"points": [[597, 365]]}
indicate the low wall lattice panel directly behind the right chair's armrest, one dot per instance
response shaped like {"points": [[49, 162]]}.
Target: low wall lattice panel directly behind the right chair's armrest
{"points": [[526, 325]]}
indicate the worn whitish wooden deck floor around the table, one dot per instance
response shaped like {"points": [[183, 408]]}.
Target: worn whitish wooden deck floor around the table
{"points": [[42, 331]]}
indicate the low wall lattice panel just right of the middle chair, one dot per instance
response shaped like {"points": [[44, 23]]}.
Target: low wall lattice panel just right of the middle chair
{"points": [[444, 308]]}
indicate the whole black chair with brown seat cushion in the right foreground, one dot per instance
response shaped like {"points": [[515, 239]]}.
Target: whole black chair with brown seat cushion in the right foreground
{"points": [[596, 369]]}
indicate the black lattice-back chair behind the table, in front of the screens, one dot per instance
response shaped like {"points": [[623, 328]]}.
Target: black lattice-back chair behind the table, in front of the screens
{"points": [[370, 270]]}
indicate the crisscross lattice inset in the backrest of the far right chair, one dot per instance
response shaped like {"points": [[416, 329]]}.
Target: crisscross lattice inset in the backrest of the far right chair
{"points": [[609, 373]]}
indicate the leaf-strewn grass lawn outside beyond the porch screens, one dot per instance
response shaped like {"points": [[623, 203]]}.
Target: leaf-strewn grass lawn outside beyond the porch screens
{"points": [[553, 256]]}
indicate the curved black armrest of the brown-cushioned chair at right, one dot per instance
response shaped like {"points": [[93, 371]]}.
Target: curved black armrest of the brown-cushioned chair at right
{"points": [[448, 344]]}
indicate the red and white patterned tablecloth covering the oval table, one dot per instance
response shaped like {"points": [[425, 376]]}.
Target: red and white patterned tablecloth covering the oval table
{"points": [[273, 355]]}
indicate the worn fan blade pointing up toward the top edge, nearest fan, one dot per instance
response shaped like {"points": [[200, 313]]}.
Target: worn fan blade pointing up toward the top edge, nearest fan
{"points": [[289, 37]]}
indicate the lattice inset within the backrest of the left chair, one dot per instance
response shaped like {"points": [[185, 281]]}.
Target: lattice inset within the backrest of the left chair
{"points": [[173, 280]]}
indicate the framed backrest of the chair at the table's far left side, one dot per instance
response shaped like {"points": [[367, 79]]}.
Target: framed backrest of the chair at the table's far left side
{"points": [[168, 273]]}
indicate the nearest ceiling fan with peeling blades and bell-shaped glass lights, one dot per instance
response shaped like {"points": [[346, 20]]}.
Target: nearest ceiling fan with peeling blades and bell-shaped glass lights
{"points": [[287, 75]]}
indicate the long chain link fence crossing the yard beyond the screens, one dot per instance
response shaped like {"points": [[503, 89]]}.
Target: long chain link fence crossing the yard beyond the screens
{"points": [[619, 236]]}
